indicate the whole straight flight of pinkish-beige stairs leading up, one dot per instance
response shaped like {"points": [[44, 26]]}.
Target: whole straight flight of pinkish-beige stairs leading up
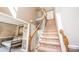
{"points": [[49, 41]]}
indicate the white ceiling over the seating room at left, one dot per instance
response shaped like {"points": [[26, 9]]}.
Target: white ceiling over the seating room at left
{"points": [[9, 19]]}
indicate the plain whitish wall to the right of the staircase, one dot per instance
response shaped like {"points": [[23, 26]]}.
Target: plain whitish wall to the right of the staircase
{"points": [[70, 22]]}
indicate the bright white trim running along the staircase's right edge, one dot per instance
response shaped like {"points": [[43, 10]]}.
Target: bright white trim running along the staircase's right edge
{"points": [[59, 25]]}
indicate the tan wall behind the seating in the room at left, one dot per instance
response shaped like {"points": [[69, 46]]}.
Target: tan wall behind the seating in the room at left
{"points": [[7, 30]]}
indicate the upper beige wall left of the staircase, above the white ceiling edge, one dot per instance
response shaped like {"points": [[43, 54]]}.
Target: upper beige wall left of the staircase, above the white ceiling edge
{"points": [[27, 13]]}
